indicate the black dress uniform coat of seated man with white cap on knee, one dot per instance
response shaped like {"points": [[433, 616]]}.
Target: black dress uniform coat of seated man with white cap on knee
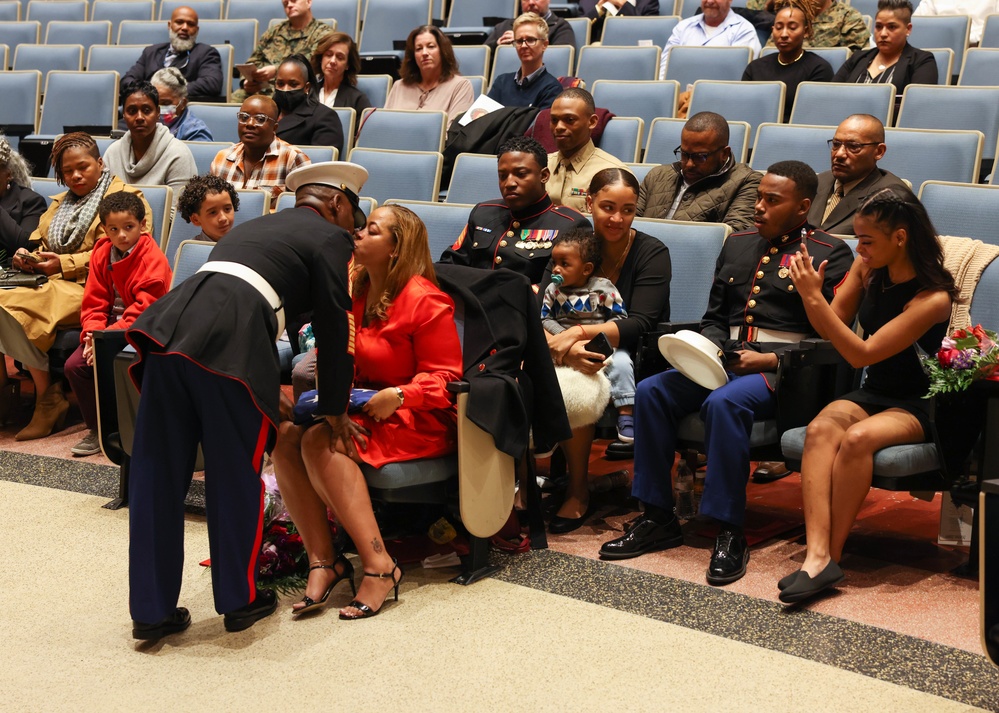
{"points": [[752, 288]]}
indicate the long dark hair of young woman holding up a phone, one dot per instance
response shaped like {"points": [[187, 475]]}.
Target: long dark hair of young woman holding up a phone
{"points": [[897, 207]]}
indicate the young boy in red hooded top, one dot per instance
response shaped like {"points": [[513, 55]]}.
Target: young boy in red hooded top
{"points": [[128, 272]]}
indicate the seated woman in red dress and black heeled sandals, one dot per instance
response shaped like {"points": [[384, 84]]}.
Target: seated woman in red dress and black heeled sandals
{"points": [[406, 348]]}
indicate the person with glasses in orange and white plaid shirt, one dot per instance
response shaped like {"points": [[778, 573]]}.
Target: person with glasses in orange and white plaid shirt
{"points": [[260, 159]]}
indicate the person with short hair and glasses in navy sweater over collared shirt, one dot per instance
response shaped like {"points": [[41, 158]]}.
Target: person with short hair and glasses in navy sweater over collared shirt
{"points": [[531, 85]]}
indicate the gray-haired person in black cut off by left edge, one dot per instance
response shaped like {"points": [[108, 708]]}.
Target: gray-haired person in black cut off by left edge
{"points": [[20, 207]]}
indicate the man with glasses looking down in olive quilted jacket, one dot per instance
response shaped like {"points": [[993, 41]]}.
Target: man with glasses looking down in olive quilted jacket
{"points": [[705, 184]]}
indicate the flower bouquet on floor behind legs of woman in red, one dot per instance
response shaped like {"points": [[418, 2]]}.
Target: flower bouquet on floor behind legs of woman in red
{"points": [[283, 563]]}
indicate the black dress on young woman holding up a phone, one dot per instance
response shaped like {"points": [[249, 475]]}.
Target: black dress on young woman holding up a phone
{"points": [[898, 381]]}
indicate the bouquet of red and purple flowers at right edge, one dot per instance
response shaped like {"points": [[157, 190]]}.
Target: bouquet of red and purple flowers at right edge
{"points": [[967, 355]]}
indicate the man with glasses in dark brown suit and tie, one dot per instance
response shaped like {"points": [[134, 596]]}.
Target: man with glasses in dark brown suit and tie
{"points": [[857, 146]]}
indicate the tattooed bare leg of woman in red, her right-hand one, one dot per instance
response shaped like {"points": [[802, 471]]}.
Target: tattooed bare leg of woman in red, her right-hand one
{"points": [[340, 483]]}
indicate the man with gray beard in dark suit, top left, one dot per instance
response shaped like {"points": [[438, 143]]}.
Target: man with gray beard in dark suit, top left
{"points": [[200, 64]]}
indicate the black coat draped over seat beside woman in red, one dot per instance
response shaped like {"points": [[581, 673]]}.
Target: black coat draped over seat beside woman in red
{"points": [[513, 387]]}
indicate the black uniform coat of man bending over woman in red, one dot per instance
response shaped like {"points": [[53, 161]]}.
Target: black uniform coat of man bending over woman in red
{"points": [[222, 323]]}
